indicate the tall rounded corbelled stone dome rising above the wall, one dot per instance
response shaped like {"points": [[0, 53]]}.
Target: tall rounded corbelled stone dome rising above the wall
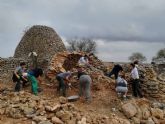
{"points": [[40, 39]]}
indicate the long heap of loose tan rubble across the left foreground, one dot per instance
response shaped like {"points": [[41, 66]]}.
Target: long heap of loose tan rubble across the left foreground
{"points": [[44, 110]]}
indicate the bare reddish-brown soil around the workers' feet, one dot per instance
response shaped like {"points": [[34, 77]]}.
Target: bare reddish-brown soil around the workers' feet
{"points": [[104, 101]]}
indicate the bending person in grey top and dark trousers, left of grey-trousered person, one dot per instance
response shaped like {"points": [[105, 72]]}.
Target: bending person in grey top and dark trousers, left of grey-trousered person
{"points": [[63, 79]]}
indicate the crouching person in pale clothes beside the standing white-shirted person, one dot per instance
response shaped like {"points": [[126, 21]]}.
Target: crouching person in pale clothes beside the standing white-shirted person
{"points": [[121, 86]]}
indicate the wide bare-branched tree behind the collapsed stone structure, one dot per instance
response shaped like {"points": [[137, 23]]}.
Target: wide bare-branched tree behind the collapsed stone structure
{"points": [[84, 44]]}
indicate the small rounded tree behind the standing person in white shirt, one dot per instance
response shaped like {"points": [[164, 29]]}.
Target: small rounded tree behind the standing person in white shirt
{"points": [[137, 56]]}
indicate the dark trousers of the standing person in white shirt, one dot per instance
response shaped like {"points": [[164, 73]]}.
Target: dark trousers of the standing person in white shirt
{"points": [[136, 88]]}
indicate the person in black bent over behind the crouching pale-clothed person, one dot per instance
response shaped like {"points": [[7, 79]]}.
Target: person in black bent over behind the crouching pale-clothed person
{"points": [[115, 71]]}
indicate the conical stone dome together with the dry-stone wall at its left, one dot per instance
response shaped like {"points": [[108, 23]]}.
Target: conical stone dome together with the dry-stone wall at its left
{"points": [[42, 40]]}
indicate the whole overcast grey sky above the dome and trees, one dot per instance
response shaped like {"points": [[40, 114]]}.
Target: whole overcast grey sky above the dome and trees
{"points": [[120, 27]]}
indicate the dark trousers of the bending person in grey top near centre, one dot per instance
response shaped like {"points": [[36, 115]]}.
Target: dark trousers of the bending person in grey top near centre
{"points": [[61, 85]]}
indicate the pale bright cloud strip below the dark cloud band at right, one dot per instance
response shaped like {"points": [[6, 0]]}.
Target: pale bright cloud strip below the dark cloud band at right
{"points": [[121, 50]]}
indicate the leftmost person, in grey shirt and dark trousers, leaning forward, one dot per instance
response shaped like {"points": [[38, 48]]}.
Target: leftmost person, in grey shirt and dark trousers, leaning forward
{"points": [[17, 76]]}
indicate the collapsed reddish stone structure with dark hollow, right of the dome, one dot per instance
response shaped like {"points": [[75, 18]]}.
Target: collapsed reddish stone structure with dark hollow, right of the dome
{"points": [[65, 61]]}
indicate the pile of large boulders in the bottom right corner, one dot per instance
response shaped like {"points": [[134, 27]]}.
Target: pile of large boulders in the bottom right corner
{"points": [[144, 112]]}
